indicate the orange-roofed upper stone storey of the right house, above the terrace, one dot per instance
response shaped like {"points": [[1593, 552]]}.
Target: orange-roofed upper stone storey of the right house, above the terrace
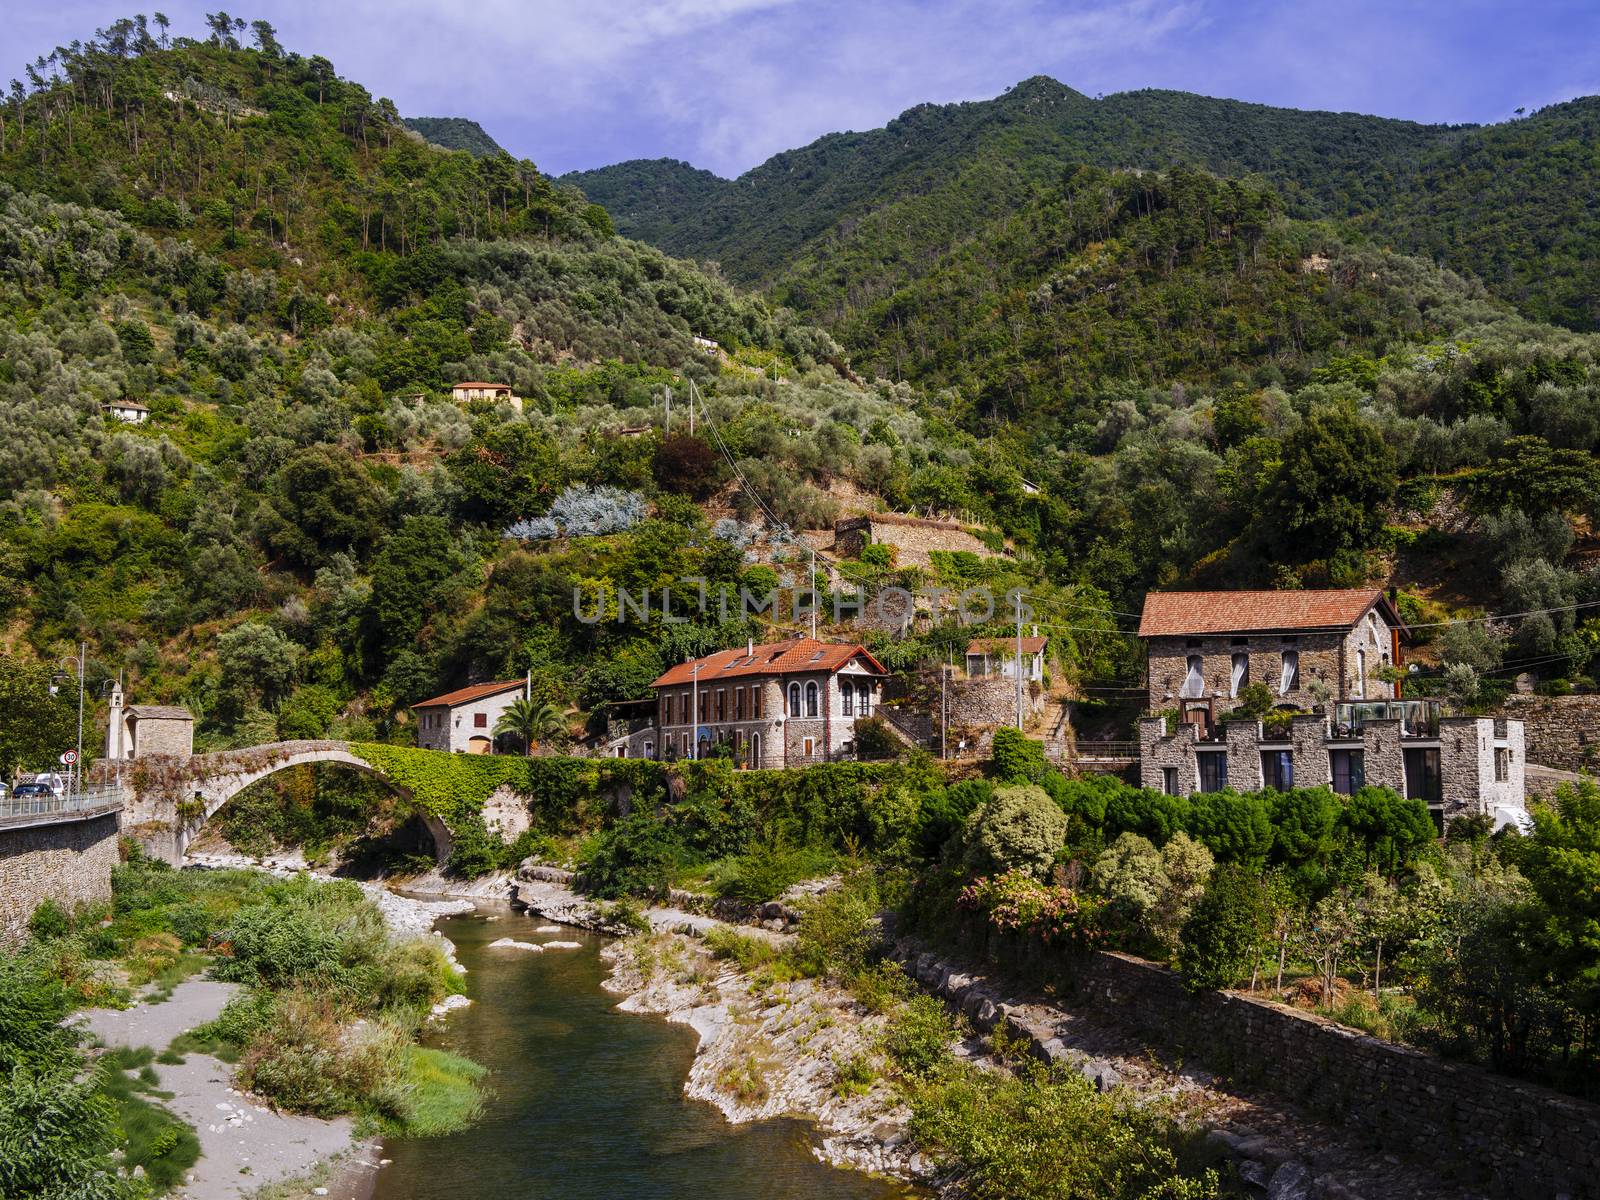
{"points": [[1204, 647]]}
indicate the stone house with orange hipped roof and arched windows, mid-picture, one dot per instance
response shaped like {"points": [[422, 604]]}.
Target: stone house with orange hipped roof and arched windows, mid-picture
{"points": [[788, 703]]}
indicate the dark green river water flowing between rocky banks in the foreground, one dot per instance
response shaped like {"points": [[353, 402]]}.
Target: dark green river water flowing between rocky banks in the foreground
{"points": [[588, 1103]]}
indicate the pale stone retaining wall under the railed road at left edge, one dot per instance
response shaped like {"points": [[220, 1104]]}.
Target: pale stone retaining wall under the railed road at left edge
{"points": [[66, 862]]}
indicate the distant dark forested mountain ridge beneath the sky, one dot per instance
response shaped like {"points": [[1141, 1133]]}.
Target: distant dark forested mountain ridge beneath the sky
{"points": [[1513, 204]]}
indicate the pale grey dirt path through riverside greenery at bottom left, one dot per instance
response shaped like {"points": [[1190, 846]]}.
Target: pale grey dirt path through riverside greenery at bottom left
{"points": [[244, 1146]]}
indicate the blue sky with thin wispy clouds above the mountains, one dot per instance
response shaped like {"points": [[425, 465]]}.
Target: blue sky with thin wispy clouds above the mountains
{"points": [[726, 84]]}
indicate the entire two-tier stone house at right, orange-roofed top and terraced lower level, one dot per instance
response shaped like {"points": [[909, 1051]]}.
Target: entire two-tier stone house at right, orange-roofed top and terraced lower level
{"points": [[1206, 647]]}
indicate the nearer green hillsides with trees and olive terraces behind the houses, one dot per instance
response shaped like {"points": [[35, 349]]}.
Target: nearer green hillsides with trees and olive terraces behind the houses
{"points": [[1132, 378]]}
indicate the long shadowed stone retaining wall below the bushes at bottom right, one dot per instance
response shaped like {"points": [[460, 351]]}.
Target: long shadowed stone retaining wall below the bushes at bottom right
{"points": [[1518, 1138]]}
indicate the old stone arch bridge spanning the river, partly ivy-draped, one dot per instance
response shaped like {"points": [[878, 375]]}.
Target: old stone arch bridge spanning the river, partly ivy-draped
{"points": [[170, 798]]}
